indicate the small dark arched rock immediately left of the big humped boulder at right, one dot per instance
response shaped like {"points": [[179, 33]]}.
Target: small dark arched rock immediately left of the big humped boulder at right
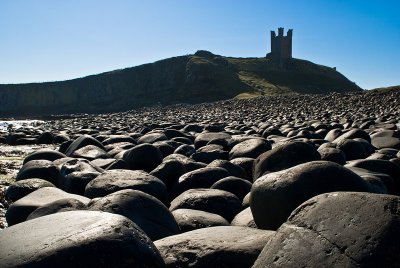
{"points": [[234, 185]]}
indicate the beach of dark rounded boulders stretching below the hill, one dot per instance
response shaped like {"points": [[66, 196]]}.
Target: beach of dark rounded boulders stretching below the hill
{"points": [[276, 181]]}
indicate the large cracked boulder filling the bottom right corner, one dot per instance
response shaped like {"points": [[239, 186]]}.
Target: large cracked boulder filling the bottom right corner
{"points": [[337, 230]]}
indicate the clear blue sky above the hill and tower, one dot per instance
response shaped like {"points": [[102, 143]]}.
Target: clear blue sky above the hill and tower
{"points": [[51, 40]]}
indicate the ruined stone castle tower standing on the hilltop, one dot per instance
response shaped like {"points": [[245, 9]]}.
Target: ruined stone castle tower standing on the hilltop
{"points": [[281, 46]]}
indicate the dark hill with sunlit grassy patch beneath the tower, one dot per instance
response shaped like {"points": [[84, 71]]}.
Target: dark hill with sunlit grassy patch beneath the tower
{"points": [[197, 78]]}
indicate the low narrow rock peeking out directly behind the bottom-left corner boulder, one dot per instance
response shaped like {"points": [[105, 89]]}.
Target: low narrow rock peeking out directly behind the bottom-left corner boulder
{"points": [[61, 205]]}
